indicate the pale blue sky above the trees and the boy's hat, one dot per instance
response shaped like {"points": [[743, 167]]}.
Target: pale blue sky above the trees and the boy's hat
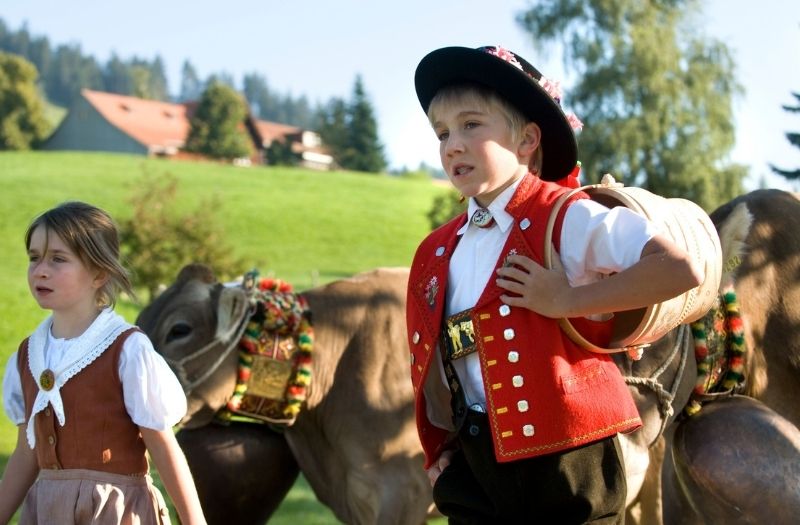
{"points": [[318, 47]]}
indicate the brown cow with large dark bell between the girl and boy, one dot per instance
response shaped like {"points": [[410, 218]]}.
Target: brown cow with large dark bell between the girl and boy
{"points": [[355, 441]]}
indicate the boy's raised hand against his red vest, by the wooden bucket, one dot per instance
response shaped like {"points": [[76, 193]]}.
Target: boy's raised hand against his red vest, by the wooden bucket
{"points": [[534, 287]]}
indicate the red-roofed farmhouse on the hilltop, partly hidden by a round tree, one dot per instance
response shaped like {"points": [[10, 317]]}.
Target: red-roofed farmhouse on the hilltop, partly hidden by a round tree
{"points": [[99, 121]]}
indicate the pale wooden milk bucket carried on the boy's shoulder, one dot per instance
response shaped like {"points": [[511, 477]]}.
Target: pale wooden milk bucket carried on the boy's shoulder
{"points": [[689, 227]]}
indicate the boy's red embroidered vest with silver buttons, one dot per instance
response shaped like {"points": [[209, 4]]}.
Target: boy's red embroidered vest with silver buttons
{"points": [[544, 394]]}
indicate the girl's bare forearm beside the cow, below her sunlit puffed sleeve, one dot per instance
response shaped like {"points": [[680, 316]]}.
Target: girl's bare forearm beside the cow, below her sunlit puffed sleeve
{"points": [[175, 474]]}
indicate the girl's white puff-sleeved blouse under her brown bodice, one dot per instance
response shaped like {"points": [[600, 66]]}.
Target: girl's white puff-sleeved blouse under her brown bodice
{"points": [[153, 396]]}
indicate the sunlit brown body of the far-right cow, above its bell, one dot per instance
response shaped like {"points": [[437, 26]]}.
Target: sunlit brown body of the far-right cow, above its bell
{"points": [[767, 281]]}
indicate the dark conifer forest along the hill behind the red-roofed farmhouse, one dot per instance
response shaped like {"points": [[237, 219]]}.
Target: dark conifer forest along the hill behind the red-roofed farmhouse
{"points": [[61, 71]]}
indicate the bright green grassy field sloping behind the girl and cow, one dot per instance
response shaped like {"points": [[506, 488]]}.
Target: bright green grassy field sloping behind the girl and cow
{"points": [[302, 226]]}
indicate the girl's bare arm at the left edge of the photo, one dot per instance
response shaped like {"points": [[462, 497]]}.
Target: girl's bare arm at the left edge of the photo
{"points": [[21, 472]]}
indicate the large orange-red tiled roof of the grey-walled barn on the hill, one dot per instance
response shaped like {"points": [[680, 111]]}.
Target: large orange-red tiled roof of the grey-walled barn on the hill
{"points": [[151, 122]]}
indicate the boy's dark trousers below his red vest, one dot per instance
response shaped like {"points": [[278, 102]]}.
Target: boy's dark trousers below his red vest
{"points": [[582, 485]]}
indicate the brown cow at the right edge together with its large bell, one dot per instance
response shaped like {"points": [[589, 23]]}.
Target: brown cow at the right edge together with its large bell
{"points": [[760, 238]]}
